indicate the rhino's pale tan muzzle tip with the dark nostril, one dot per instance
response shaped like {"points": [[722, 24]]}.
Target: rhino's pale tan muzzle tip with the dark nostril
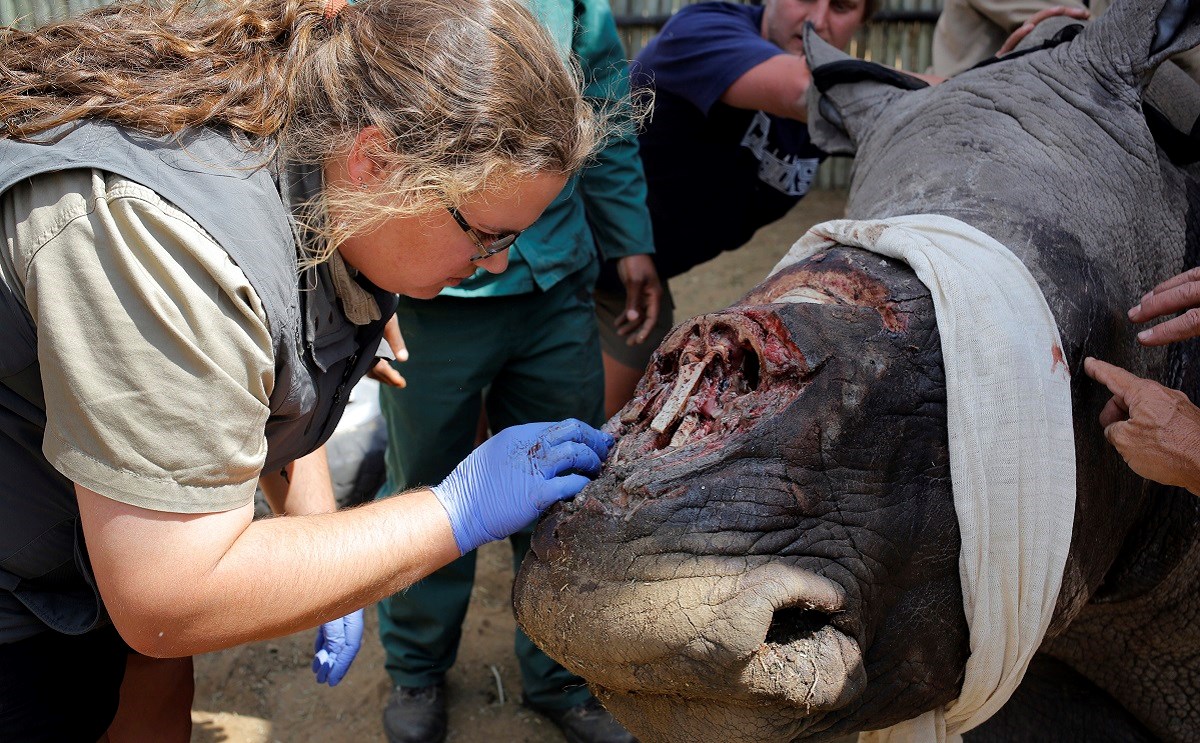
{"points": [[746, 633]]}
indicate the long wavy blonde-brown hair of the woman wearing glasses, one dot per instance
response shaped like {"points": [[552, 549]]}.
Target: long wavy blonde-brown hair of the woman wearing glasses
{"points": [[469, 94]]}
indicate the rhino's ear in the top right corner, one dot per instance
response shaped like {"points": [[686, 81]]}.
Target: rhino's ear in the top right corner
{"points": [[1141, 34]]}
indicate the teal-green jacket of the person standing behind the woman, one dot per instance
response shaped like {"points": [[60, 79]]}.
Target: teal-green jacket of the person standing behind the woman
{"points": [[602, 212]]}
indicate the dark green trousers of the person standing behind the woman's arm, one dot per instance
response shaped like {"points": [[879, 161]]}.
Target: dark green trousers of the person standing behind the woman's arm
{"points": [[526, 358]]}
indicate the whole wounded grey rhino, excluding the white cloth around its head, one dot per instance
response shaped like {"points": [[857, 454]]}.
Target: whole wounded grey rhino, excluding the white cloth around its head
{"points": [[771, 553]]}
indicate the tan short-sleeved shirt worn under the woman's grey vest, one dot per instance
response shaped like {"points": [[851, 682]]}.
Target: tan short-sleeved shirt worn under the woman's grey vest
{"points": [[155, 355]]}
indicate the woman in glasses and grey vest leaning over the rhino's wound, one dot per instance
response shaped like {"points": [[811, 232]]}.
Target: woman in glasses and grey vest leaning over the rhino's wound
{"points": [[207, 218]]}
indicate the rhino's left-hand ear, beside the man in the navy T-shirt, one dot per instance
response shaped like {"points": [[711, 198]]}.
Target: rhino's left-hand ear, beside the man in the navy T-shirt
{"points": [[848, 95]]}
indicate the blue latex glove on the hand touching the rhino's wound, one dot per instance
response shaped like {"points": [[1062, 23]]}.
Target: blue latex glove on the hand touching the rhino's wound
{"points": [[517, 475]]}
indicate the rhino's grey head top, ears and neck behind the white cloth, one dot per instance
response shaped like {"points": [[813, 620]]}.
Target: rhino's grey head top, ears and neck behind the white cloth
{"points": [[1051, 154]]}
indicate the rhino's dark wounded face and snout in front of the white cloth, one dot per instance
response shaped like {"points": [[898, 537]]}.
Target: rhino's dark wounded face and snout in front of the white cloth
{"points": [[775, 522]]}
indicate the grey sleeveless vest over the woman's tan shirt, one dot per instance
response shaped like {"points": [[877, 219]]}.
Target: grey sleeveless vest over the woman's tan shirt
{"points": [[235, 195]]}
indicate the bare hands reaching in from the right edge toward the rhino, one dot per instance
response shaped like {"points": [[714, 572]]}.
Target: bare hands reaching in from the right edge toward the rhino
{"points": [[1156, 429]]}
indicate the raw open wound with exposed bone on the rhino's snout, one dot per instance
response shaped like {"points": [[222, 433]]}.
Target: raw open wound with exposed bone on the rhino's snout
{"points": [[712, 380]]}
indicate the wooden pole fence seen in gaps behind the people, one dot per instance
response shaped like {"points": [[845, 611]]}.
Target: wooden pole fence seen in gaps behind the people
{"points": [[899, 35]]}
